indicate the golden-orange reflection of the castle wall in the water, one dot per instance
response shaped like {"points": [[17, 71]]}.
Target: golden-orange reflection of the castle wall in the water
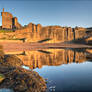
{"points": [[51, 57]]}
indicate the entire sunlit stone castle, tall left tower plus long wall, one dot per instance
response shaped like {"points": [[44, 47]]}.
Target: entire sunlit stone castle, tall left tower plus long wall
{"points": [[38, 33]]}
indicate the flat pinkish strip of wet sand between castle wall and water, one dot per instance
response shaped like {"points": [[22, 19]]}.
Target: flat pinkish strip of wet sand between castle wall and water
{"points": [[10, 46]]}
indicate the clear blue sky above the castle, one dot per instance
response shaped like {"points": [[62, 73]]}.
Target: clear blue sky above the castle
{"points": [[69, 13]]}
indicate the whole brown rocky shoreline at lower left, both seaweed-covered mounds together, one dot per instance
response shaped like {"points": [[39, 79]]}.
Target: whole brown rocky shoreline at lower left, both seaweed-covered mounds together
{"points": [[17, 78]]}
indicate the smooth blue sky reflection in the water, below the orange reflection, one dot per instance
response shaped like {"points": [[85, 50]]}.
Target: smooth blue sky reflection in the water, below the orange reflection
{"points": [[68, 77]]}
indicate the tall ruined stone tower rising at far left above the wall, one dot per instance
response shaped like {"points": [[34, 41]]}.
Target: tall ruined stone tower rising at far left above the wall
{"points": [[8, 21]]}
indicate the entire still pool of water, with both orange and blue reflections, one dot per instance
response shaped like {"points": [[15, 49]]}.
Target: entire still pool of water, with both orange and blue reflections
{"points": [[65, 70]]}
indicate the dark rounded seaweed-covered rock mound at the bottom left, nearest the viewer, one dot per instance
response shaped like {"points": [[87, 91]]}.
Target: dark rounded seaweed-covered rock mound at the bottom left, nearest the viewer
{"points": [[22, 80]]}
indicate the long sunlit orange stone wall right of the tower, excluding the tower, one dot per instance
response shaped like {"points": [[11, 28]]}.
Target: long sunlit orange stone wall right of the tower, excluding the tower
{"points": [[50, 34]]}
